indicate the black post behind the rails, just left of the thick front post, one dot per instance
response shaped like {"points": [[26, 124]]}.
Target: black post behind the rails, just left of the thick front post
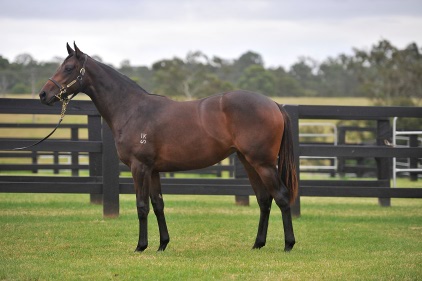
{"points": [[95, 158]]}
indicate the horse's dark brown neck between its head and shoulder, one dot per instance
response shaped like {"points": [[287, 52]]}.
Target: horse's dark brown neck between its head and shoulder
{"points": [[113, 95]]}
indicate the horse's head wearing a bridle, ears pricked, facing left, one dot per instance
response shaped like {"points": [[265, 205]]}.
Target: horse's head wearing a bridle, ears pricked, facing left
{"points": [[67, 80]]}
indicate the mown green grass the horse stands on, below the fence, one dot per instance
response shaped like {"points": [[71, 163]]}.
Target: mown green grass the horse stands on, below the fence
{"points": [[63, 237]]}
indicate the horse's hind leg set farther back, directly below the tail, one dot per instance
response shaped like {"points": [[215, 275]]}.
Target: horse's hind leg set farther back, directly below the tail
{"points": [[280, 193]]}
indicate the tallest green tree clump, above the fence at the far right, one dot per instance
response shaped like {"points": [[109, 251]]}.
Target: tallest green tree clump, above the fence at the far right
{"points": [[388, 75]]}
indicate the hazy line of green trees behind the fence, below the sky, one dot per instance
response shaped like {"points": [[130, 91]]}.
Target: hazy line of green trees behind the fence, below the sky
{"points": [[384, 73]]}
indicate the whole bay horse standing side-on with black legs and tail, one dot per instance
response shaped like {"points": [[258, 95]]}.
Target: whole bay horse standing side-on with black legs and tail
{"points": [[155, 134]]}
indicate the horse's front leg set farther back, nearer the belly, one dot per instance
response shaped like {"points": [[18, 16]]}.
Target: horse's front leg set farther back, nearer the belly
{"points": [[158, 206]]}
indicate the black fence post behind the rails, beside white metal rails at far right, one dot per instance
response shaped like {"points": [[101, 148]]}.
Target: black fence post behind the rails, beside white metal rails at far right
{"points": [[384, 164]]}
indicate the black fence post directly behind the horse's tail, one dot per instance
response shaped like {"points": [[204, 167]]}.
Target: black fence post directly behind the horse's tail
{"points": [[293, 111]]}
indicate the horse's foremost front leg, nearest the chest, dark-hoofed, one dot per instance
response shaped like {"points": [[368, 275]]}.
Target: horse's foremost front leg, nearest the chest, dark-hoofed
{"points": [[142, 179]]}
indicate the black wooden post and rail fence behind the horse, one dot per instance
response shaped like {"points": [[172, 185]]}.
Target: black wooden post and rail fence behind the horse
{"points": [[104, 181]]}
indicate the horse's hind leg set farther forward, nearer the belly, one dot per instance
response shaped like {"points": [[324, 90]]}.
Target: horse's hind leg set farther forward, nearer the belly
{"points": [[264, 200]]}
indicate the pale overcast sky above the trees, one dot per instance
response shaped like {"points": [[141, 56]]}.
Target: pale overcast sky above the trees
{"points": [[144, 32]]}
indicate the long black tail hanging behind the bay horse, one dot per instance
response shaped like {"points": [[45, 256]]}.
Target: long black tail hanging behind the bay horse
{"points": [[286, 158]]}
